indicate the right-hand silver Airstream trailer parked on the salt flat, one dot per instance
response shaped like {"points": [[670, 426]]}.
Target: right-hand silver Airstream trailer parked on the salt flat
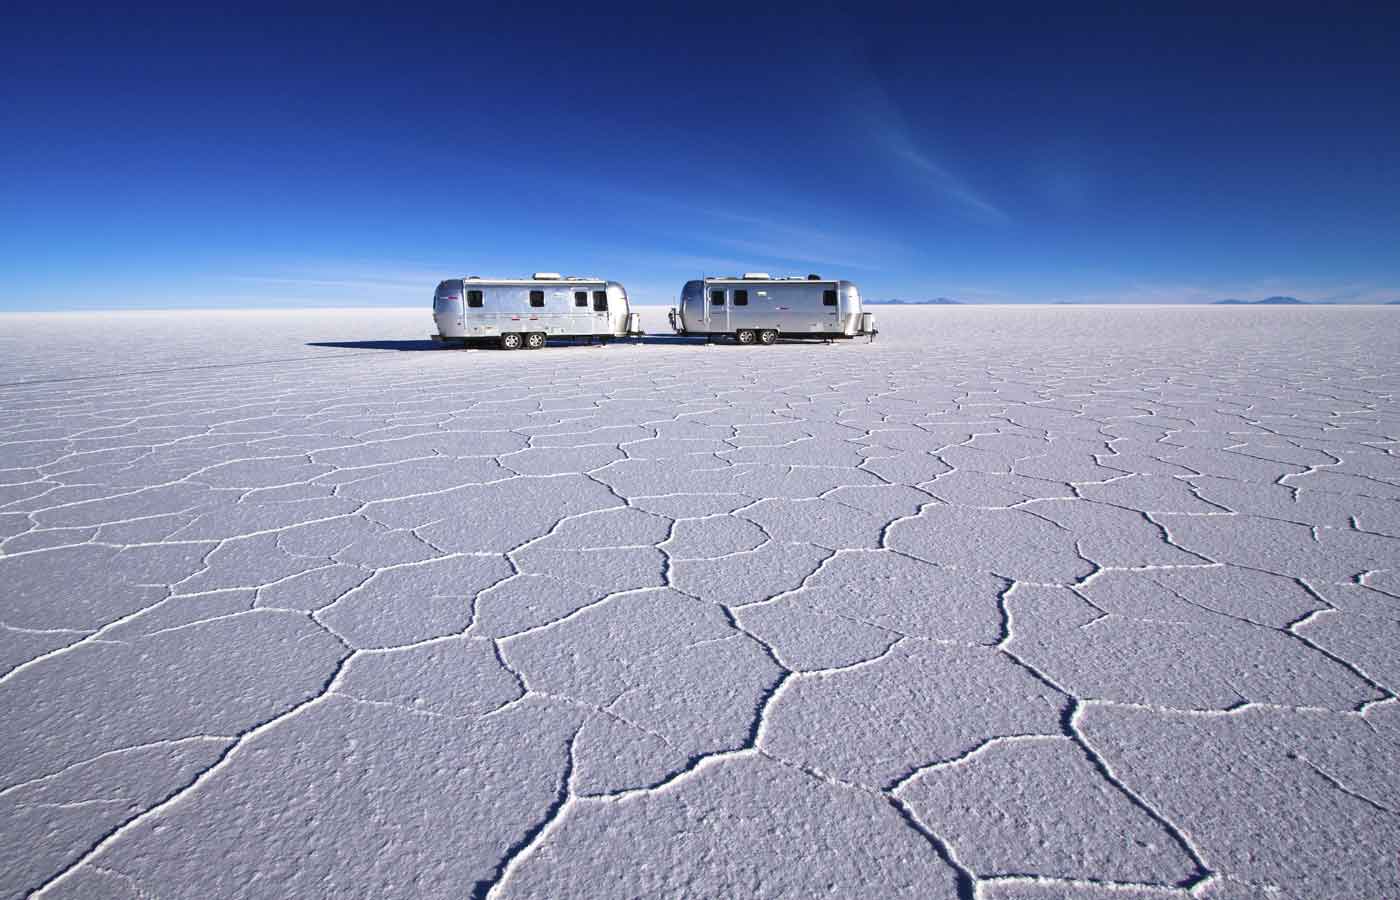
{"points": [[761, 309]]}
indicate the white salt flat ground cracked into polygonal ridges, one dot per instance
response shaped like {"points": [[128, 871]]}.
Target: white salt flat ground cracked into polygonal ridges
{"points": [[1013, 604]]}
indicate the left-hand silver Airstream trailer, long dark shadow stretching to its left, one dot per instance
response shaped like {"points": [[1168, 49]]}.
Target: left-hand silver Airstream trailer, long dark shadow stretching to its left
{"points": [[526, 313]]}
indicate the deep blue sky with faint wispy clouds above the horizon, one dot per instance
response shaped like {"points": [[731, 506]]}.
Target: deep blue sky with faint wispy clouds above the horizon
{"points": [[190, 159]]}
